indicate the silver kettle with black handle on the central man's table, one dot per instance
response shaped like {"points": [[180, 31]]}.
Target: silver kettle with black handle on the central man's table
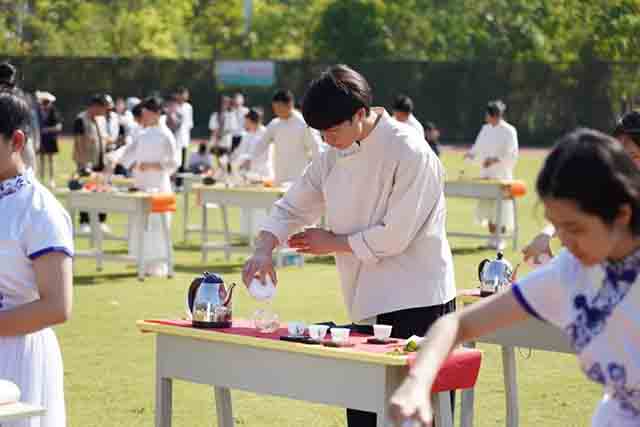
{"points": [[209, 302]]}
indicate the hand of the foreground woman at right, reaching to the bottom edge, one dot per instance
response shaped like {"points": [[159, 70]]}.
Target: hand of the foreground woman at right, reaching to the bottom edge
{"points": [[411, 404]]}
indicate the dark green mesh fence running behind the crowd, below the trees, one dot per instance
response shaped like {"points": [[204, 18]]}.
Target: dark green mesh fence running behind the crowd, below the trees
{"points": [[544, 100]]}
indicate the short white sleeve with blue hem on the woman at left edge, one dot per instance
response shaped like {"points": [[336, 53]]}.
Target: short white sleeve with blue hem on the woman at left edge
{"points": [[49, 230]]}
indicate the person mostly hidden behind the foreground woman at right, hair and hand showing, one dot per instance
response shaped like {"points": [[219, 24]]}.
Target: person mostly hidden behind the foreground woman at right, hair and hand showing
{"points": [[627, 131]]}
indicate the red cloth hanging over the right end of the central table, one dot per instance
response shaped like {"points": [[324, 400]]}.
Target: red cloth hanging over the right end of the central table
{"points": [[459, 371]]}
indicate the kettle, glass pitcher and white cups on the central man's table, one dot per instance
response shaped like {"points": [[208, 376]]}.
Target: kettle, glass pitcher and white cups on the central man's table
{"points": [[209, 306]]}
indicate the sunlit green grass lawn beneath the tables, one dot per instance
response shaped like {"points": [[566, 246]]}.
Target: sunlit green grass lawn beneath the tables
{"points": [[109, 365]]}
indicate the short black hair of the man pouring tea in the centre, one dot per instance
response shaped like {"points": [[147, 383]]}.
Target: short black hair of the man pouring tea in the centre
{"points": [[335, 97]]}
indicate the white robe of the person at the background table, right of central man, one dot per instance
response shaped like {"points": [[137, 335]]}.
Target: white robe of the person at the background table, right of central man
{"points": [[500, 141]]}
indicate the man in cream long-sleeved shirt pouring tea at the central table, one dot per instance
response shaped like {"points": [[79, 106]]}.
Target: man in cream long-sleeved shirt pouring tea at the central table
{"points": [[381, 189]]}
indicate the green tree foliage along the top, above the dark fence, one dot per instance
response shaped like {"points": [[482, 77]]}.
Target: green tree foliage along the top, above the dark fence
{"points": [[554, 31]]}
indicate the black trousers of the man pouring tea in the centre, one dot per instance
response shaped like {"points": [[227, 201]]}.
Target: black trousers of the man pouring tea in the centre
{"points": [[413, 321]]}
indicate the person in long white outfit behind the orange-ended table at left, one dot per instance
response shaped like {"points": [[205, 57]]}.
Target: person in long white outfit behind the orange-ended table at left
{"points": [[152, 154]]}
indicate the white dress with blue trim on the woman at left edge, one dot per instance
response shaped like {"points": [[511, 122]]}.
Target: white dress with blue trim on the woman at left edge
{"points": [[33, 224]]}
